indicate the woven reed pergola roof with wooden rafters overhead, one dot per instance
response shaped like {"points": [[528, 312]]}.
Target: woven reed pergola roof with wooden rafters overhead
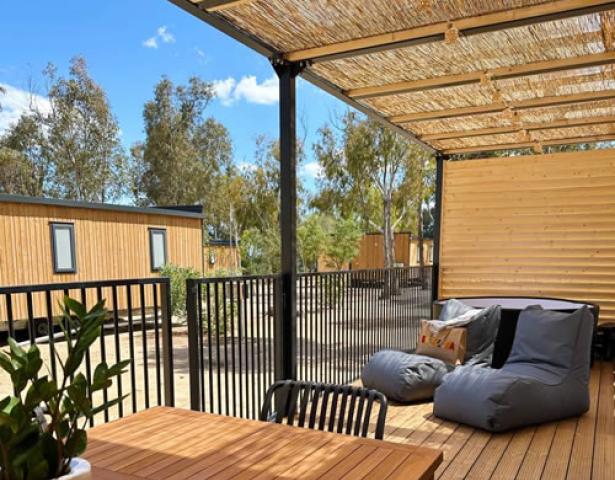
{"points": [[455, 75]]}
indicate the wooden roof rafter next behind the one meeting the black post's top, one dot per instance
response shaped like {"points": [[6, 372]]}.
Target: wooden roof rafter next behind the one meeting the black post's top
{"points": [[476, 76]]}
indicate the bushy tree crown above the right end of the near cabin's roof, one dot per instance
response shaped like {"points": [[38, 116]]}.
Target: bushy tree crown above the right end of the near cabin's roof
{"points": [[184, 152]]}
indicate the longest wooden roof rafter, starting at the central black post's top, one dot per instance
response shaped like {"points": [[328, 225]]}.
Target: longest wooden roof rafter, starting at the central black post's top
{"points": [[467, 26]]}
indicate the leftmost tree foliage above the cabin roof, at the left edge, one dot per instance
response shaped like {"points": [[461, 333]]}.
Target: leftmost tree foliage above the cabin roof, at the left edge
{"points": [[79, 156]]}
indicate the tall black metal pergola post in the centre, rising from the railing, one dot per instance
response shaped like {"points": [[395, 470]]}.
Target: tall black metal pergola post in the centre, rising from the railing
{"points": [[286, 324]]}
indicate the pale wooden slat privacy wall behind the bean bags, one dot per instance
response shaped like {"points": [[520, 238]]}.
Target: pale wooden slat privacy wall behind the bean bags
{"points": [[540, 225]]}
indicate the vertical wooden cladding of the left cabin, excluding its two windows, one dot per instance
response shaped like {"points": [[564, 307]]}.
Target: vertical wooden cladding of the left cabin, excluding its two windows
{"points": [[110, 245]]}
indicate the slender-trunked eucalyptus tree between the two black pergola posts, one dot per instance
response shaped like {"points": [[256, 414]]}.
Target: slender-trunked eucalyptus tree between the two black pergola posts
{"points": [[373, 173]]}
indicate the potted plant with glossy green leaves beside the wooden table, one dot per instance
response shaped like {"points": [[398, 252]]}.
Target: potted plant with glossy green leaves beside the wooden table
{"points": [[42, 424]]}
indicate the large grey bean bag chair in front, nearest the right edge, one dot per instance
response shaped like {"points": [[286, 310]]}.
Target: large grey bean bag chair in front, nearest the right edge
{"points": [[544, 379]]}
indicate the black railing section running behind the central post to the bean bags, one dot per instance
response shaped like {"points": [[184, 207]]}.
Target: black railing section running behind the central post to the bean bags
{"points": [[342, 319]]}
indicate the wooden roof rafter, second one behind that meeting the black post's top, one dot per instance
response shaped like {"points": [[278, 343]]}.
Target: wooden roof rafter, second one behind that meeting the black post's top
{"points": [[501, 106]]}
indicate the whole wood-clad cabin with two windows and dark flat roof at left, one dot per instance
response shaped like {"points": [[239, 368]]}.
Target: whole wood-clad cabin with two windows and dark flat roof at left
{"points": [[58, 241]]}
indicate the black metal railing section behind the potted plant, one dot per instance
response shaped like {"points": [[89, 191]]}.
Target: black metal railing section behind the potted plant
{"points": [[139, 327]]}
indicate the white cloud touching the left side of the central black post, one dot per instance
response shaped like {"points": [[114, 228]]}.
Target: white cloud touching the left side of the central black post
{"points": [[230, 90]]}
